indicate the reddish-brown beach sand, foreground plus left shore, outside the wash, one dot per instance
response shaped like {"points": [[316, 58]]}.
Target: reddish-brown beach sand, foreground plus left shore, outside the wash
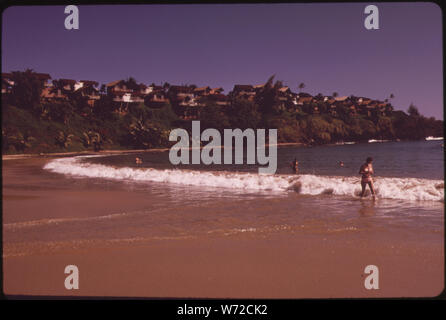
{"points": [[282, 265]]}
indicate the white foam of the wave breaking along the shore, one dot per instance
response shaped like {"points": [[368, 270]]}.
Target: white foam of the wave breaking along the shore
{"points": [[390, 188]]}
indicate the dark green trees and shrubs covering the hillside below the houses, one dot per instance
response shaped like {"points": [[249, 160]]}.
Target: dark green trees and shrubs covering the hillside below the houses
{"points": [[31, 124]]}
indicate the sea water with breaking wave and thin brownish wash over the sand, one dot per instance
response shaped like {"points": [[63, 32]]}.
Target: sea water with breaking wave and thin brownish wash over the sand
{"points": [[199, 201]]}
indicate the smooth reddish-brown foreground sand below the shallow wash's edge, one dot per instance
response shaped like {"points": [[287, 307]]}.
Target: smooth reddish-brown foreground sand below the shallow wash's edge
{"points": [[277, 267]]}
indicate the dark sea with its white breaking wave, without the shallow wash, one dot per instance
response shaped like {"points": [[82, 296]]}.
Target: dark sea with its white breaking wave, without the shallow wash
{"points": [[411, 171]]}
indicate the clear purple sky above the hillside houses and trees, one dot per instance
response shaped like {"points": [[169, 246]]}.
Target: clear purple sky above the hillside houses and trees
{"points": [[323, 45]]}
